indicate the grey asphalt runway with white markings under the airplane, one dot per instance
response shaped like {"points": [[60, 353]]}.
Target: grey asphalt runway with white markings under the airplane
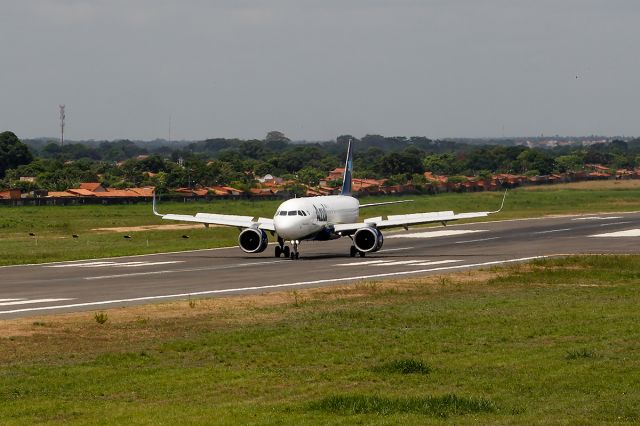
{"points": [[104, 283]]}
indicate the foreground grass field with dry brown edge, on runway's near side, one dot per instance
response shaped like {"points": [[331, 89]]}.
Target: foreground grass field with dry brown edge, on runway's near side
{"points": [[554, 342]]}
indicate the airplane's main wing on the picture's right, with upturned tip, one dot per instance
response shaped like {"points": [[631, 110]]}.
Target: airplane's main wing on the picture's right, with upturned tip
{"points": [[405, 220]]}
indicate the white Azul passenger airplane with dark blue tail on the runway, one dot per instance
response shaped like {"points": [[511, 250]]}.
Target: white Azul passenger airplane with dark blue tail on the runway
{"points": [[320, 218]]}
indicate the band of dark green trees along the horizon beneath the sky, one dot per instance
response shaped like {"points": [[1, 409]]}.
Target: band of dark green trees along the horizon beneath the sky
{"points": [[238, 162]]}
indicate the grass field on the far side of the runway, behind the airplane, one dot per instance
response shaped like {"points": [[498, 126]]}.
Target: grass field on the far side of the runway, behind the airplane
{"points": [[53, 226]]}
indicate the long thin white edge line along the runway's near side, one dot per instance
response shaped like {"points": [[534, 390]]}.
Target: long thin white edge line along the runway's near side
{"points": [[268, 287]]}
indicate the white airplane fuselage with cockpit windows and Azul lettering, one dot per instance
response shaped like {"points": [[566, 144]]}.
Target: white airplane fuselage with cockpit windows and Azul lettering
{"points": [[306, 218]]}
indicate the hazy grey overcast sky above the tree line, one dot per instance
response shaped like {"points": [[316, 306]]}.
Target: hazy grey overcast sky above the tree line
{"points": [[197, 69]]}
